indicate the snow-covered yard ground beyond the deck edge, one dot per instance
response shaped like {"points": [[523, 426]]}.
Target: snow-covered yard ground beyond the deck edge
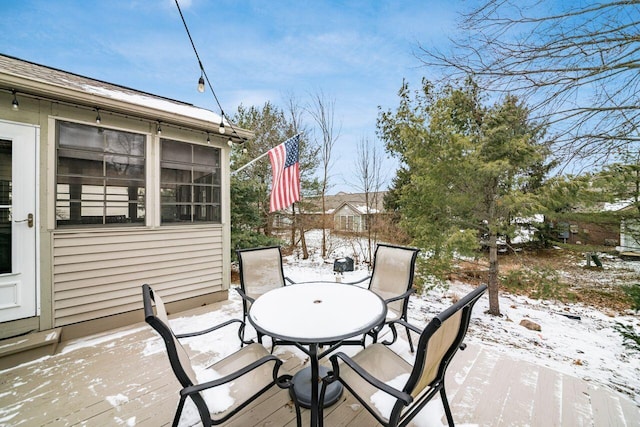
{"points": [[574, 338]]}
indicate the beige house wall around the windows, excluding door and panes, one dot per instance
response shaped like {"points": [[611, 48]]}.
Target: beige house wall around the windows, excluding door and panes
{"points": [[92, 273]]}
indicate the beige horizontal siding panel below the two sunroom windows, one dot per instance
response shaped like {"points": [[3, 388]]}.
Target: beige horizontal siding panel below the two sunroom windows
{"points": [[100, 273]]}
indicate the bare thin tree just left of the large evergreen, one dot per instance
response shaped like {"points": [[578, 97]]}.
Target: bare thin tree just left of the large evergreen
{"points": [[368, 173]]}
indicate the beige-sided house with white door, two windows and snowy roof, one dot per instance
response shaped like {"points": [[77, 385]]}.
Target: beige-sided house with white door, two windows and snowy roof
{"points": [[104, 188]]}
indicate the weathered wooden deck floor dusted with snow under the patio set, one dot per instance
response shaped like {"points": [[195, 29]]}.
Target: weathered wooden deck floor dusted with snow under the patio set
{"points": [[124, 378]]}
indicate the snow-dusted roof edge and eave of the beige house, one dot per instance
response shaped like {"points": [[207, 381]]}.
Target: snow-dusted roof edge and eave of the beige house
{"points": [[36, 79]]}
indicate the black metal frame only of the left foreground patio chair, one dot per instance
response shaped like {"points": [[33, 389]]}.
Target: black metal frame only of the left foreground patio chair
{"points": [[191, 390]]}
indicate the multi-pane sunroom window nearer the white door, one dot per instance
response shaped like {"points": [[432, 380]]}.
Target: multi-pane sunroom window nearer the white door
{"points": [[100, 176]]}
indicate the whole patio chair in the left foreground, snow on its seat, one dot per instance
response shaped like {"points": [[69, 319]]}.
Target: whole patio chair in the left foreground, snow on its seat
{"points": [[242, 376]]}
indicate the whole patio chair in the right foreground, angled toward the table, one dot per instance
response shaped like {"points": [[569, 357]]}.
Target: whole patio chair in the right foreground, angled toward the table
{"points": [[401, 390]]}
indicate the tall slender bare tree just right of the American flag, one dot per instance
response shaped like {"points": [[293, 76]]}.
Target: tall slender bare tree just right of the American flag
{"points": [[322, 110]]}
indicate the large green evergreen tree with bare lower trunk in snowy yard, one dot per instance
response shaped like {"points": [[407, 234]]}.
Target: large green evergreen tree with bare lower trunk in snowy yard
{"points": [[471, 170]]}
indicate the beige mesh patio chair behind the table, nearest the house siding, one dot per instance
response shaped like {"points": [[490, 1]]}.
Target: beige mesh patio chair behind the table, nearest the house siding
{"points": [[260, 271]]}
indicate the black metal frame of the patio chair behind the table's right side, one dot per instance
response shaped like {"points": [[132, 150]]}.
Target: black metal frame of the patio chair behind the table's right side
{"points": [[404, 297]]}
